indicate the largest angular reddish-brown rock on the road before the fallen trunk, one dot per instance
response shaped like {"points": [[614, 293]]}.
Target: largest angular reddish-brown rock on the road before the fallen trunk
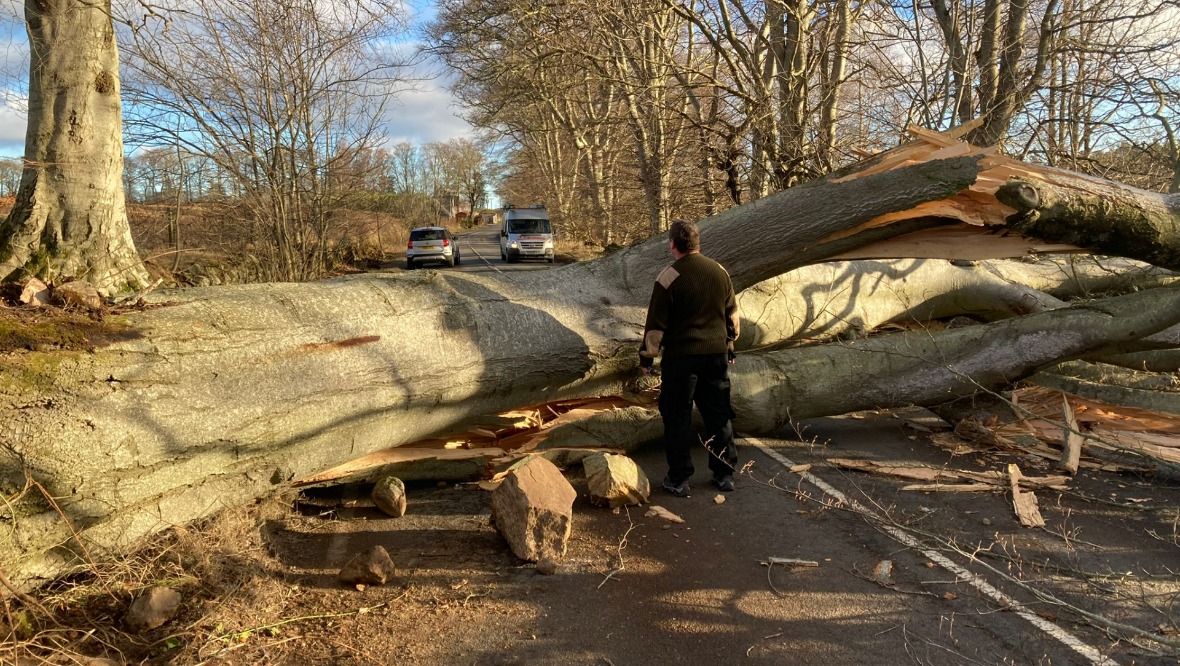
{"points": [[534, 510]]}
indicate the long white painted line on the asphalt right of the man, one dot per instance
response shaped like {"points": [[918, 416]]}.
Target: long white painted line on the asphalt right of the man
{"points": [[1092, 655]]}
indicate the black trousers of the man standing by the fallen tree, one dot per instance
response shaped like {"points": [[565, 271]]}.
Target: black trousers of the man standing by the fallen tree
{"points": [[703, 381]]}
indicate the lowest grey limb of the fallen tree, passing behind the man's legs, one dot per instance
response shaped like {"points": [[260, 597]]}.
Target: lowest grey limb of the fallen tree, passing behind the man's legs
{"points": [[777, 388]]}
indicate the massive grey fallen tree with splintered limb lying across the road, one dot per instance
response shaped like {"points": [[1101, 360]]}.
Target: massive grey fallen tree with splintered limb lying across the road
{"points": [[217, 396]]}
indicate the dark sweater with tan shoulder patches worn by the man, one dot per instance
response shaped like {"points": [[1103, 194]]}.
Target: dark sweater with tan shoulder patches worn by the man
{"points": [[693, 310]]}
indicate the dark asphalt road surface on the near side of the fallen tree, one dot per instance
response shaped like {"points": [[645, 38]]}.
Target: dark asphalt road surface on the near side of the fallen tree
{"points": [[896, 577]]}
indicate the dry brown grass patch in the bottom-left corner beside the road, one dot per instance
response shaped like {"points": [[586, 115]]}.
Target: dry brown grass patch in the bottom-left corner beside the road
{"points": [[232, 591]]}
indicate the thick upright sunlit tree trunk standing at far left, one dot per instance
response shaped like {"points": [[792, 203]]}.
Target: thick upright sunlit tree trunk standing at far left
{"points": [[70, 218]]}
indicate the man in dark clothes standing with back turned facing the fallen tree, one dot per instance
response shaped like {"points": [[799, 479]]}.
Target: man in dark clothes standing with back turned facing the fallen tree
{"points": [[693, 317]]}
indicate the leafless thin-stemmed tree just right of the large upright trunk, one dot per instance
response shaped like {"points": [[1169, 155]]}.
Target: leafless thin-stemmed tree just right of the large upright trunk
{"points": [[279, 96]]}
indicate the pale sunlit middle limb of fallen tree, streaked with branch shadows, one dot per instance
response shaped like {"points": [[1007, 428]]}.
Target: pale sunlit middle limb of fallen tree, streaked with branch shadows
{"points": [[849, 299]]}
